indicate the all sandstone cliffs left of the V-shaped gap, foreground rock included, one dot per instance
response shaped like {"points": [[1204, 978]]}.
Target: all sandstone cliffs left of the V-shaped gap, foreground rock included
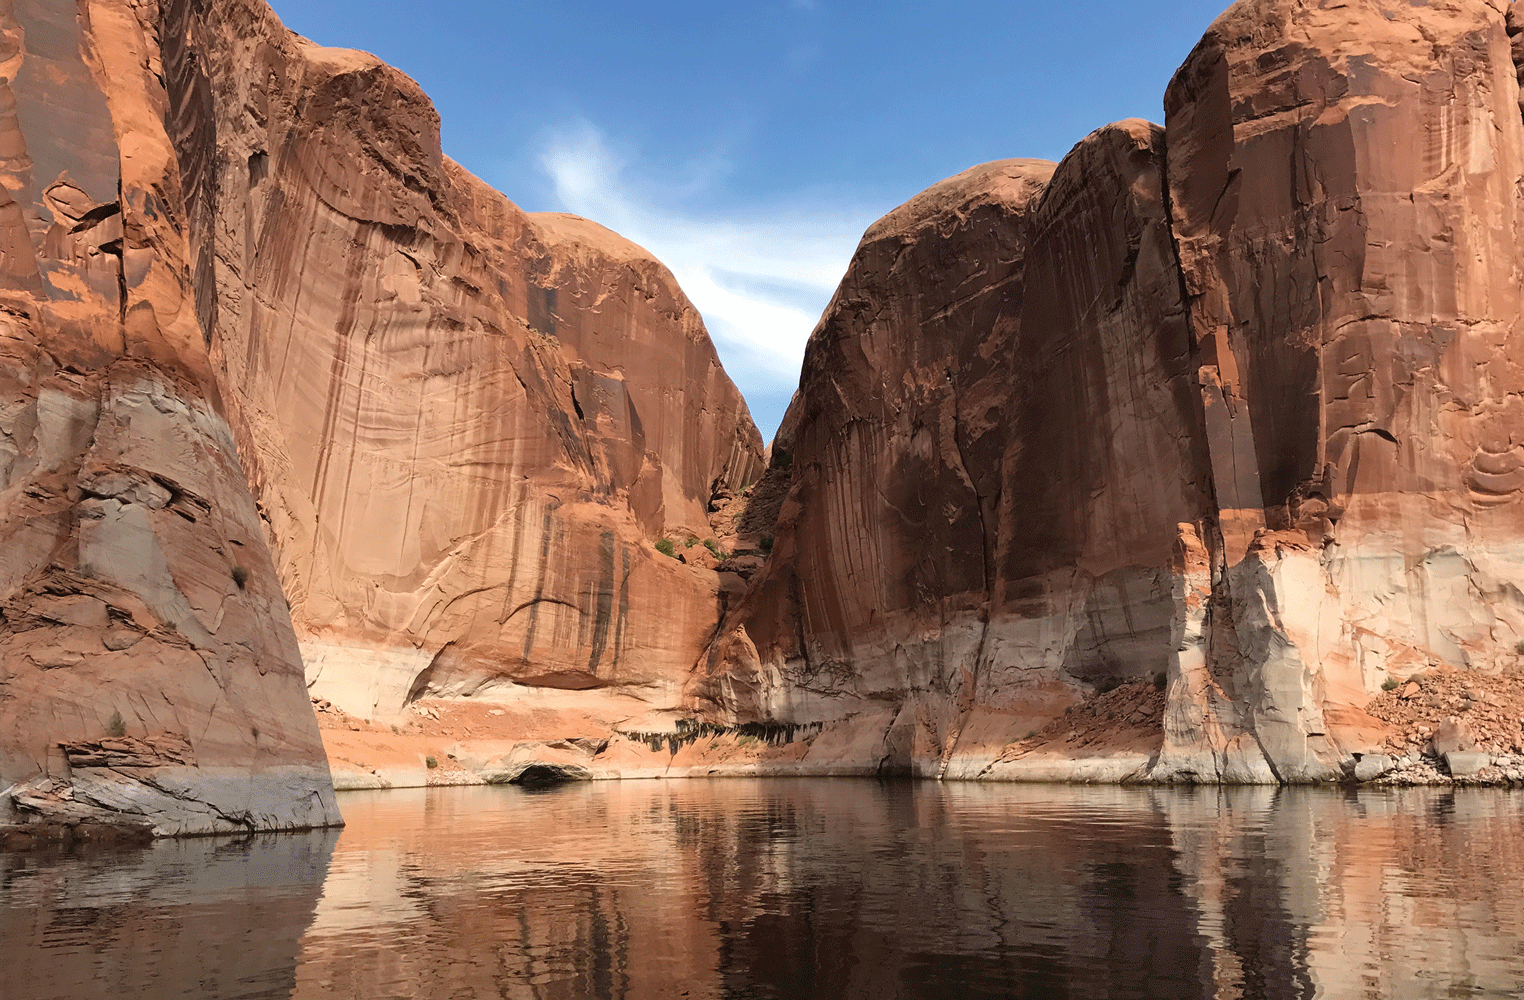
{"points": [[283, 383]]}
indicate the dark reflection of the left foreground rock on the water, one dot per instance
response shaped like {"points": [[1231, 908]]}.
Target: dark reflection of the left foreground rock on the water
{"points": [[193, 918]]}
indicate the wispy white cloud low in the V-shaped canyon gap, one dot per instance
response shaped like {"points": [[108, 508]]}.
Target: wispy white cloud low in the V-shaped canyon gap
{"points": [[760, 275]]}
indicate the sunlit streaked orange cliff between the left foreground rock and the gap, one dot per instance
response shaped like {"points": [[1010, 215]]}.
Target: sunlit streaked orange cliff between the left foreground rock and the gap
{"points": [[466, 426]]}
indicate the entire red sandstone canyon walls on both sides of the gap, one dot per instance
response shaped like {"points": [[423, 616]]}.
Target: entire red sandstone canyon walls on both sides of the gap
{"points": [[293, 406]]}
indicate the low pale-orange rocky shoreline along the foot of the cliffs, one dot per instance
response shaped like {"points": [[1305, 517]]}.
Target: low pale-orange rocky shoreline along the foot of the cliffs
{"points": [[472, 748]]}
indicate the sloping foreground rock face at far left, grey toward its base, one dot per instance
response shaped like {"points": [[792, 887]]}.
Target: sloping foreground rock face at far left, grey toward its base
{"points": [[139, 607]]}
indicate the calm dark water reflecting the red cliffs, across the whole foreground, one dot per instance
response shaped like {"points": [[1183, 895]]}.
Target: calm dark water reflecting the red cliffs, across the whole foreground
{"points": [[801, 889]]}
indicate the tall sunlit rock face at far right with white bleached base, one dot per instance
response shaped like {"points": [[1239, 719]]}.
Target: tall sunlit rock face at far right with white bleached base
{"points": [[1346, 199]]}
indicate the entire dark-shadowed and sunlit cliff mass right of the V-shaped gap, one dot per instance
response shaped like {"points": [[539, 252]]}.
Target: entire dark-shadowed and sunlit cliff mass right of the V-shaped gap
{"points": [[1231, 403]]}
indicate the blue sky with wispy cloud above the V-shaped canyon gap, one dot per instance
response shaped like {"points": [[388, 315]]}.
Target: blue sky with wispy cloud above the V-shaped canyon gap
{"points": [[749, 144]]}
